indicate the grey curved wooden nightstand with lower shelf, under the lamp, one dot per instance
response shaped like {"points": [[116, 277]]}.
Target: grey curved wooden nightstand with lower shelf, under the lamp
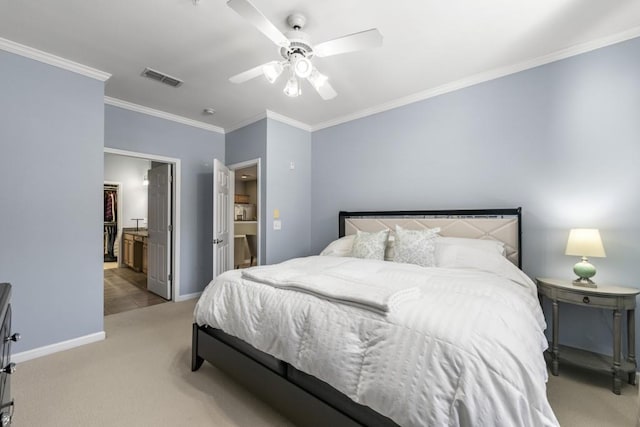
{"points": [[614, 298]]}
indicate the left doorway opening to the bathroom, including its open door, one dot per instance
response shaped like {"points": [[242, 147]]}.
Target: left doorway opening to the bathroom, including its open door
{"points": [[145, 249]]}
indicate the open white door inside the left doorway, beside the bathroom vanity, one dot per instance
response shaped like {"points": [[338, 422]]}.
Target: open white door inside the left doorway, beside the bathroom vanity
{"points": [[159, 226]]}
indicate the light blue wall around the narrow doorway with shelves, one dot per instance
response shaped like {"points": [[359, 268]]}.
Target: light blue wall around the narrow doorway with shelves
{"points": [[250, 143]]}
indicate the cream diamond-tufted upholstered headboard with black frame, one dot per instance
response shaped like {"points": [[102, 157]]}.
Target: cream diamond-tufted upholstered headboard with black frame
{"points": [[503, 225]]}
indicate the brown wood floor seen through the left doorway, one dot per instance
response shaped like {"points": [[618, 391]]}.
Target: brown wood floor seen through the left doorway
{"points": [[125, 289]]}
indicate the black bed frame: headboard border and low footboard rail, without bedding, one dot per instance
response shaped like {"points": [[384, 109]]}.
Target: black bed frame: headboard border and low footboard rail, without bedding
{"points": [[300, 397]]}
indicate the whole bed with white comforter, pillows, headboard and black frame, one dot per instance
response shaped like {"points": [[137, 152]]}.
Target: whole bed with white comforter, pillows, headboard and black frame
{"points": [[338, 340]]}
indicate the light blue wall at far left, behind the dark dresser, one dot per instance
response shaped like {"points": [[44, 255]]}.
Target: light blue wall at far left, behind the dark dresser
{"points": [[51, 139]]}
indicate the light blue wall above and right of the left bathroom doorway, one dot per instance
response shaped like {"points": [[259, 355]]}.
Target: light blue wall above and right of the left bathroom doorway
{"points": [[196, 148]]}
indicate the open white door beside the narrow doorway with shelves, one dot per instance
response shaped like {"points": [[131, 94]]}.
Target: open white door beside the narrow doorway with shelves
{"points": [[222, 239]]}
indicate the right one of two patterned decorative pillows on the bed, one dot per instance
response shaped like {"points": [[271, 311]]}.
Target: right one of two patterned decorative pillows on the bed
{"points": [[416, 246]]}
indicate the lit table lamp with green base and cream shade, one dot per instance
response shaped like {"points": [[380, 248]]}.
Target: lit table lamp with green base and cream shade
{"points": [[585, 242]]}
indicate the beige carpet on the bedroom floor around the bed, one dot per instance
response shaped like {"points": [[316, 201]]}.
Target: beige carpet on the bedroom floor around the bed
{"points": [[140, 376]]}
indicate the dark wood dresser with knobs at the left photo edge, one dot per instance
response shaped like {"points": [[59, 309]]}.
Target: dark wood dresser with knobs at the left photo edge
{"points": [[6, 367]]}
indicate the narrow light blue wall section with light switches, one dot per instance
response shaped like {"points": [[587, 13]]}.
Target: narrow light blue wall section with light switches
{"points": [[288, 191]]}
